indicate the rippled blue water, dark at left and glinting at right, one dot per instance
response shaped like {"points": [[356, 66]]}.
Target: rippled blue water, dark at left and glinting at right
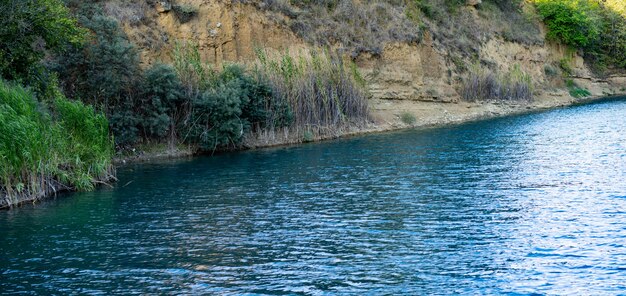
{"points": [[531, 204]]}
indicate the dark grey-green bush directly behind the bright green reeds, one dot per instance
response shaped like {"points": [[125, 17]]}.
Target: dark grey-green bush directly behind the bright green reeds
{"points": [[105, 73]]}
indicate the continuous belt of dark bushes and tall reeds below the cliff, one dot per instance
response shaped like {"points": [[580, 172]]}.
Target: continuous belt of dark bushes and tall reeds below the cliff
{"points": [[191, 102]]}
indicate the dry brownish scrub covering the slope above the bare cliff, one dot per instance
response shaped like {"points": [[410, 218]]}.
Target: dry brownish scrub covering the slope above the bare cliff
{"points": [[366, 26]]}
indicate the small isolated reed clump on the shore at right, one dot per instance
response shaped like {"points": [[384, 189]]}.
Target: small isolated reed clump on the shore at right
{"points": [[513, 86]]}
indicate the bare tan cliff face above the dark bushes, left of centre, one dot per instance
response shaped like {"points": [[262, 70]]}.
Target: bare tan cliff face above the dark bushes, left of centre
{"points": [[223, 31]]}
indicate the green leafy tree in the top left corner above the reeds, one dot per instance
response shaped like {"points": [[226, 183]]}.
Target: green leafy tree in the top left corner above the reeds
{"points": [[28, 30]]}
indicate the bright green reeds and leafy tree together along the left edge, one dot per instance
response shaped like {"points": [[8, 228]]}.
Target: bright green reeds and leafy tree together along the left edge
{"points": [[47, 143]]}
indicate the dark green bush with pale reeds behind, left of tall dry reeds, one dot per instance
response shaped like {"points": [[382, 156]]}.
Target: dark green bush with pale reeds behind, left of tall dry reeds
{"points": [[222, 106]]}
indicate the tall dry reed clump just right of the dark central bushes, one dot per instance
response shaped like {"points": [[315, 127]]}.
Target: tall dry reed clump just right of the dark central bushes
{"points": [[322, 93]]}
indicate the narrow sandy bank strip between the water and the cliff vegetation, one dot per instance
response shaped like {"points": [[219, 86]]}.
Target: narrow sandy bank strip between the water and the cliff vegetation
{"points": [[387, 115]]}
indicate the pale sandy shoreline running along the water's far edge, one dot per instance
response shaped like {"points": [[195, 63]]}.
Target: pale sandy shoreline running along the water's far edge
{"points": [[431, 115]]}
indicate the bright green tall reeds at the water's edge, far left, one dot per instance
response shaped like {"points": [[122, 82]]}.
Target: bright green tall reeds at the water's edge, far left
{"points": [[44, 151]]}
